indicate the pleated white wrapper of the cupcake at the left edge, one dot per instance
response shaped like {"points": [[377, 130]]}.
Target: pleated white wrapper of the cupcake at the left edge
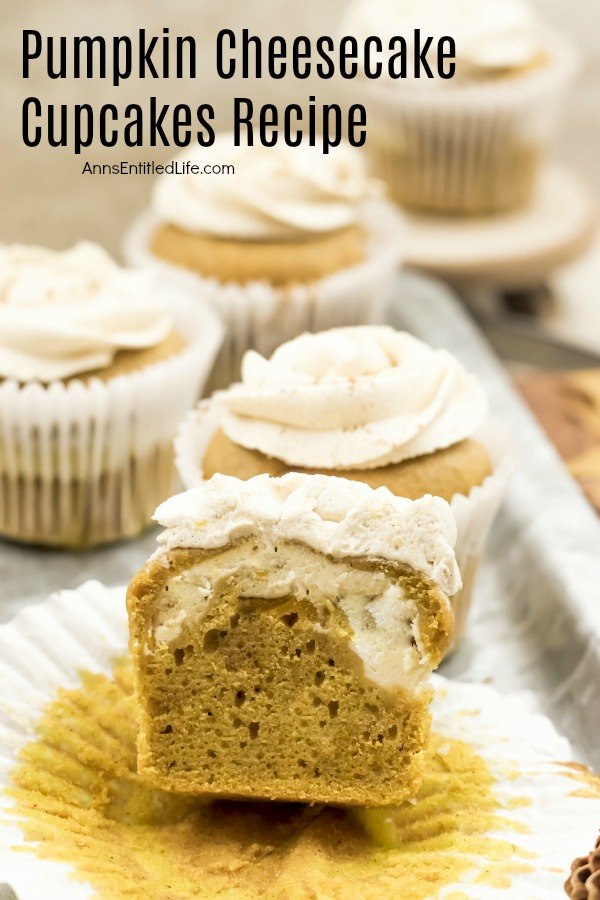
{"points": [[84, 463]]}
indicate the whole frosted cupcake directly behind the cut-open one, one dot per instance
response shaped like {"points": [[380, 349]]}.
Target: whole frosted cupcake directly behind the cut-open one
{"points": [[367, 403]]}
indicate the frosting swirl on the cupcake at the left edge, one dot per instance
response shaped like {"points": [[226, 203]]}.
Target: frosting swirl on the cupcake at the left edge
{"points": [[65, 313]]}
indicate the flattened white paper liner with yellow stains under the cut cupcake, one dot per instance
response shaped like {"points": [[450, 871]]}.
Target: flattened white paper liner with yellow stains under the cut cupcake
{"points": [[498, 811]]}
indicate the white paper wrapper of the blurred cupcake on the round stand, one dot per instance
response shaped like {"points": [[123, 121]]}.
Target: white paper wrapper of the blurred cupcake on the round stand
{"points": [[472, 149]]}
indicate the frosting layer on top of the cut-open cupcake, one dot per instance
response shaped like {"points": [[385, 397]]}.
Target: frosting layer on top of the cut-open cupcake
{"points": [[334, 516]]}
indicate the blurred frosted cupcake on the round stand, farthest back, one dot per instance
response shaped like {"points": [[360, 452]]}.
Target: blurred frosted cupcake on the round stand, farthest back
{"points": [[471, 144]]}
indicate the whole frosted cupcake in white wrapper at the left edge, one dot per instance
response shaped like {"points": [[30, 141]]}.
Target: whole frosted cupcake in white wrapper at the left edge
{"points": [[96, 369]]}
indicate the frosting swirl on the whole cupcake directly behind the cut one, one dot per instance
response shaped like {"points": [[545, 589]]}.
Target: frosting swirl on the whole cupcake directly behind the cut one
{"points": [[348, 398]]}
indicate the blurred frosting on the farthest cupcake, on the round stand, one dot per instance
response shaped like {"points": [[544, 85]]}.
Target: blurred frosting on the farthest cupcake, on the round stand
{"points": [[490, 35]]}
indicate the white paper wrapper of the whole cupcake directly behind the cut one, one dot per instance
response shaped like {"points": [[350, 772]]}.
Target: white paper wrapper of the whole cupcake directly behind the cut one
{"points": [[474, 513]]}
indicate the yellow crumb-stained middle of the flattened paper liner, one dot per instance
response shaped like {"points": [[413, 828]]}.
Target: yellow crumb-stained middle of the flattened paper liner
{"points": [[79, 800]]}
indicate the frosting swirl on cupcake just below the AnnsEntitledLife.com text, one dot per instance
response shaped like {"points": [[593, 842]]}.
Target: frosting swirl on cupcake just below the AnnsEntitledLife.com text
{"points": [[274, 193]]}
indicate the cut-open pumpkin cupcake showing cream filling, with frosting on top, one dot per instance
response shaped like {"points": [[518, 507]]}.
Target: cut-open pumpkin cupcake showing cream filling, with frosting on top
{"points": [[283, 636]]}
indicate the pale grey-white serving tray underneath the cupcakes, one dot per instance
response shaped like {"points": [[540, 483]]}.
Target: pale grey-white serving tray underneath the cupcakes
{"points": [[535, 622]]}
